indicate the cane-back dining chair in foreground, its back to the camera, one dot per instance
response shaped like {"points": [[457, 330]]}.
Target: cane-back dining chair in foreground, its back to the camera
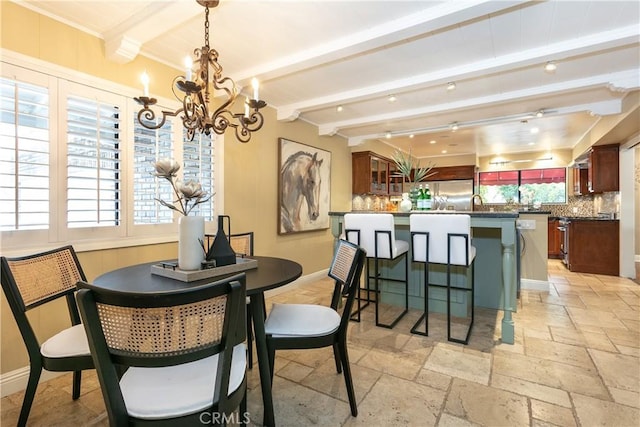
{"points": [[183, 352]]}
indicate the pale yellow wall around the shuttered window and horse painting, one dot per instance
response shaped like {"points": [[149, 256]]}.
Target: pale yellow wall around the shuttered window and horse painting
{"points": [[251, 171]]}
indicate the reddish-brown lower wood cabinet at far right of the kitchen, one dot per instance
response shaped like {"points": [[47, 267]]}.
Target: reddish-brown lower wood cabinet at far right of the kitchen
{"points": [[594, 246]]}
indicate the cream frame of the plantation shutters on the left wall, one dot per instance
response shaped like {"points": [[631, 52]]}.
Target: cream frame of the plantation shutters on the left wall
{"points": [[58, 79]]}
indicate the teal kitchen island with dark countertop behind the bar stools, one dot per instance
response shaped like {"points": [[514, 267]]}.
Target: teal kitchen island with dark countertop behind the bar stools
{"points": [[494, 236]]}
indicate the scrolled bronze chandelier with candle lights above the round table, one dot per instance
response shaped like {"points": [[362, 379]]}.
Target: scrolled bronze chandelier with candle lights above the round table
{"points": [[195, 96]]}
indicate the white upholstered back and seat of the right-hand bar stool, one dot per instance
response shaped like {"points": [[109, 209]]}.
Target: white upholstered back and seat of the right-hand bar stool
{"points": [[439, 226]]}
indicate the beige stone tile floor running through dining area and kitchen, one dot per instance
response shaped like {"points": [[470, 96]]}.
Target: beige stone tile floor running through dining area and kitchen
{"points": [[576, 362]]}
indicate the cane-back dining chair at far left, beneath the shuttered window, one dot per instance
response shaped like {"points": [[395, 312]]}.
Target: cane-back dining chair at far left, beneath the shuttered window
{"points": [[29, 282]]}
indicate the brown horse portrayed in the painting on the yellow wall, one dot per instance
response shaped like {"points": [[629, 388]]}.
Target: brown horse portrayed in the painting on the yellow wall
{"points": [[300, 192]]}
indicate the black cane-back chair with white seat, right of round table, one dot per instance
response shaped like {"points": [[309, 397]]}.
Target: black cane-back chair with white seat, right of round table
{"points": [[304, 326]]}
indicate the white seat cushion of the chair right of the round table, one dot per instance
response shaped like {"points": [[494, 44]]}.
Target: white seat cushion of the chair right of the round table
{"points": [[301, 320]]}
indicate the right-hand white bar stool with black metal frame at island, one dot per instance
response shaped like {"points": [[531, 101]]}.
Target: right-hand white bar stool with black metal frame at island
{"points": [[443, 239]]}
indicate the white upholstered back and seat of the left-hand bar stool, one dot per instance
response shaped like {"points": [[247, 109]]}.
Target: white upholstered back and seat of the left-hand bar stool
{"points": [[368, 224]]}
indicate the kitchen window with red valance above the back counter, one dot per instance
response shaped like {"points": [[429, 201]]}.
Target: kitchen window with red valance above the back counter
{"points": [[525, 186]]}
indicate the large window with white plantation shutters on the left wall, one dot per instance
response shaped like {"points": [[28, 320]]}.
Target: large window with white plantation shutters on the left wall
{"points": [[76, 166]]}
